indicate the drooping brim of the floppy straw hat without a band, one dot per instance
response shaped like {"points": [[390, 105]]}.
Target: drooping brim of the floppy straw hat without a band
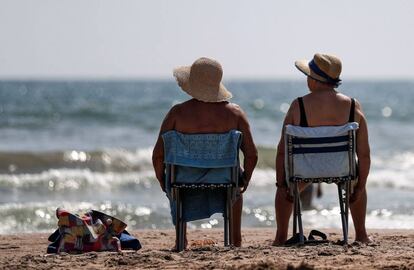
{"points": [[182, 75]]}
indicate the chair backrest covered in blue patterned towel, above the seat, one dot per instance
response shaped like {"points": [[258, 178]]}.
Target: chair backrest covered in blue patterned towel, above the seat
{"points": [[202, 158]]}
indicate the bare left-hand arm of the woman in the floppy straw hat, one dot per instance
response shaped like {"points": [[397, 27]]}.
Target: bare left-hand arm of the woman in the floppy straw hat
{"points": [[158, 152]]}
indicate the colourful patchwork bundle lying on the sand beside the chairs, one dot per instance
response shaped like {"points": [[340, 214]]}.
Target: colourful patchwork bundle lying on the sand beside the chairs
{"points": [[93, 231]]}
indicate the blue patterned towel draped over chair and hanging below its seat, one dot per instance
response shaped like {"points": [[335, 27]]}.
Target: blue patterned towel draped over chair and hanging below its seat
{"points": [[201, 158]]}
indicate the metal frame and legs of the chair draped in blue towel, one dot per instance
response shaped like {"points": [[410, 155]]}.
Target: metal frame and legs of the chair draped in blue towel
{"points": [[178, 190]]}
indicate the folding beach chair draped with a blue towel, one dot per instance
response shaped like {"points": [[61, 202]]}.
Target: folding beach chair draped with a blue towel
{"points": [[202, 172]]}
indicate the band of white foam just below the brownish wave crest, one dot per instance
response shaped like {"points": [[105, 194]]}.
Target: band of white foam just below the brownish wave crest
{"points": [[85, 181]]}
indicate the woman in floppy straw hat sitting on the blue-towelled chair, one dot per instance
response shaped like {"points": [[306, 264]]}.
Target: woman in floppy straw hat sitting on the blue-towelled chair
{"points": [[209, 111]]}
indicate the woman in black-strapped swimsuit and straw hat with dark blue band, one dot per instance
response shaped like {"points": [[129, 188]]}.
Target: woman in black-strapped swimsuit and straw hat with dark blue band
{"points": [[324, 106]]}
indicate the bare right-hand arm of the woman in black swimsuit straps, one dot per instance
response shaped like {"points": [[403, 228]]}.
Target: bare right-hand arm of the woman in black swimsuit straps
{"points": [[363, 150]]}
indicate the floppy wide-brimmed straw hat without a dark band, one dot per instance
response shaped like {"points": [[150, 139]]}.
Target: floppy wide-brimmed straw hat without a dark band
{"points": [[202, 80]]}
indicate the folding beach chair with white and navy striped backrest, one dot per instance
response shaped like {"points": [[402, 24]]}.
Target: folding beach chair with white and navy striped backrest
{"points": [[321, 154]]}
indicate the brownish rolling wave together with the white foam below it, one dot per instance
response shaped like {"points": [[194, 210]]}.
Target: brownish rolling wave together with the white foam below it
{"points": [[76, 170]]}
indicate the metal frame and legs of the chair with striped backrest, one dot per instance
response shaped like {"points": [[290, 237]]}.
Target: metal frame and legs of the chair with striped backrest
{"points": [[343, 183]]}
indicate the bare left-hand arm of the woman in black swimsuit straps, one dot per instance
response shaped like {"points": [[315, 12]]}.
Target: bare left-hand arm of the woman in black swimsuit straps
{"points": [[280, 156]]}
